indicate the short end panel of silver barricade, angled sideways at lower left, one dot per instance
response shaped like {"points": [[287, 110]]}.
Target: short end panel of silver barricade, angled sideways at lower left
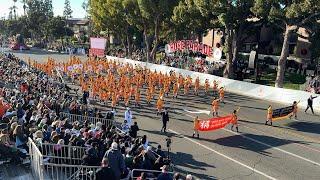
{"points": [[36, 160]]}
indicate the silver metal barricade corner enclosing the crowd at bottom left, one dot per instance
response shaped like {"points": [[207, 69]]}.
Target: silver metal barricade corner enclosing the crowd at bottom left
{"points": [[51, 161]]}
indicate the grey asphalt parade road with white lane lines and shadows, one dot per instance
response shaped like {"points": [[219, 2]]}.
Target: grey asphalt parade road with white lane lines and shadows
{"points": [[289, 149]]}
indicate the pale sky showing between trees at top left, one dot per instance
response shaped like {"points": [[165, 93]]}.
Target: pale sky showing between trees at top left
{"points": [[58, 6]]}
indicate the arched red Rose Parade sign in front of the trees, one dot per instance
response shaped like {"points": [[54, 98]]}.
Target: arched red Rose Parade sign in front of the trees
{"points": [[190, 45]]}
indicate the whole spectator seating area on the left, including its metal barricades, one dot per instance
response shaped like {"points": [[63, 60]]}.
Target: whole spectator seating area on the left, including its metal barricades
{"points": [[43, 119]]}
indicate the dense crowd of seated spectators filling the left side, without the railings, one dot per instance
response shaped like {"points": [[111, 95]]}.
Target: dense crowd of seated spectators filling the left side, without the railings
{"points": [[30, 103]]}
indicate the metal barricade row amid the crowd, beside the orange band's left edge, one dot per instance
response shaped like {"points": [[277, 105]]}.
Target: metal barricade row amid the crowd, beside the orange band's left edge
{"points": [[92, 120]]}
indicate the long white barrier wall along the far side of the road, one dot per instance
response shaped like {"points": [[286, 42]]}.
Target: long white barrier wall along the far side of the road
{"points": [[269, 93]]}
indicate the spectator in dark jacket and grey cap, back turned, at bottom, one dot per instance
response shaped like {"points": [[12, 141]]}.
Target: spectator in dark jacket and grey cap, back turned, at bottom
{"points": [[116, 160]]}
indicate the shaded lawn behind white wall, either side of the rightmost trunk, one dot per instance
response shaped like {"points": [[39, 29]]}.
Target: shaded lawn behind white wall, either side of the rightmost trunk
{"points": [[291, 80]]}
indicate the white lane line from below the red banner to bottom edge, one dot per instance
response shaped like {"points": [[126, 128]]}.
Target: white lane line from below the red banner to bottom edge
{"points": [[225, 156]]}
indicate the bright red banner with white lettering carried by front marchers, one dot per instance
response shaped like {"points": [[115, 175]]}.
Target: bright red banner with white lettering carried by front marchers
{"points": [[214, 123]]}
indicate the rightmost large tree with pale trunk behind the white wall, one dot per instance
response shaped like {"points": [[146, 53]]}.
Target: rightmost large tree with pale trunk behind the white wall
{"points": [[289, 16]]}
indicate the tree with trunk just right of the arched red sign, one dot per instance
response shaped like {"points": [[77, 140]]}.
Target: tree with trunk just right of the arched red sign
{"points": [[231, 16]]}
